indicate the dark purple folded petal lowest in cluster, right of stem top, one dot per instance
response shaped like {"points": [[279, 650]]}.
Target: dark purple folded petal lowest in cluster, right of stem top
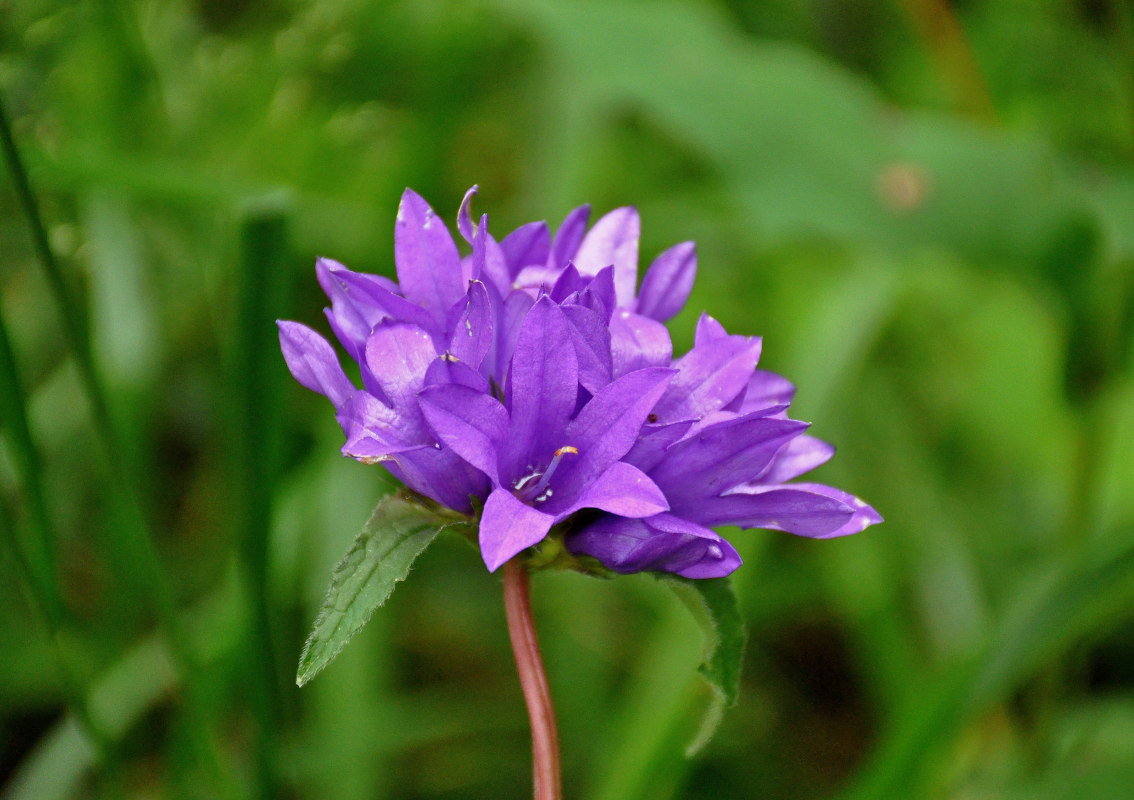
{"points": [[663, 543]]}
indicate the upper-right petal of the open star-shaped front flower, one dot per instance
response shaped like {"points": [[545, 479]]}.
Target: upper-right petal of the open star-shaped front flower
{"points": [[610, 425]]}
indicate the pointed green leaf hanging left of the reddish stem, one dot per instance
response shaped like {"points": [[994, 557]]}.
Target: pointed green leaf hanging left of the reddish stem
{"points": [[397, 533]]}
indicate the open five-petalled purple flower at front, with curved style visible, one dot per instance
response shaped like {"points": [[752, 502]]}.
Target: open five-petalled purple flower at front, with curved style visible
{"points": [[546, 461]]}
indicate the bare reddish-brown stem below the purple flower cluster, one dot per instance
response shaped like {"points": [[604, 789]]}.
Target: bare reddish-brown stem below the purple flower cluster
{"points": [[534, 681]]}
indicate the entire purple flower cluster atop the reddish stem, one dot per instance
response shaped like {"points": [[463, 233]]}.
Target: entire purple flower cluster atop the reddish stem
{"points": [[536, 380]]}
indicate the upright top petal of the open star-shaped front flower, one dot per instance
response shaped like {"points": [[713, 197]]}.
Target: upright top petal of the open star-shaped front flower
{"points": [[543, 386]]}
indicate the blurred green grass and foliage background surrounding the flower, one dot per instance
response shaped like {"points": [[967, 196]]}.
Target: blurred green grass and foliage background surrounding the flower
{"points": [[926, 209]]}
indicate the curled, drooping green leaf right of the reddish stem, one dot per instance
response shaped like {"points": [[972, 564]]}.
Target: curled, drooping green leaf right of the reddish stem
{"points": [[714, 605]]}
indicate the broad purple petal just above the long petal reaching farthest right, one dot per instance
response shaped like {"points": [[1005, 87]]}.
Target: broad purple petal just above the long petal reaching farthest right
{"points": [[720, 459]]}
